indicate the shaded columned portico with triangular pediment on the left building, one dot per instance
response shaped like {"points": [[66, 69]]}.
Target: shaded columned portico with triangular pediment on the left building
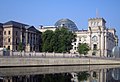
{"points": [[33, 39]]}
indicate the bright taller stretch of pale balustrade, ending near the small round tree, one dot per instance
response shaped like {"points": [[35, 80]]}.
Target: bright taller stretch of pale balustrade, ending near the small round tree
{"points": [[39, 54]]}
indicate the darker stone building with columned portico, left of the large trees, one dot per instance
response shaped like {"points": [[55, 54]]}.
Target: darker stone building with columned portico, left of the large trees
{"points": [[15, 33]]}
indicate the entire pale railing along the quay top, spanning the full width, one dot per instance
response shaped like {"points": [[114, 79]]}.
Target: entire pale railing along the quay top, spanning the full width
{"points": [[48, 55]]}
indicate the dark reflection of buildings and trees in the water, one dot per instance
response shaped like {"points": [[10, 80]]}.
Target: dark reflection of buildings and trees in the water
{"points": [[97, 75]]}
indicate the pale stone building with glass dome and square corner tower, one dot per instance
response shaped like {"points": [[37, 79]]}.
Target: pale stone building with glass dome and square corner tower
{"points": [[100, 39]]}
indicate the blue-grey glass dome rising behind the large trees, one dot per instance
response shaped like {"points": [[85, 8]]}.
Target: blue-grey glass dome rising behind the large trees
{"points": [[66, 23]]}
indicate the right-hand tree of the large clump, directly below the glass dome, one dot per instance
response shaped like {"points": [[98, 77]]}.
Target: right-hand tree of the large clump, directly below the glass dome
{"points": [[64, 38]]}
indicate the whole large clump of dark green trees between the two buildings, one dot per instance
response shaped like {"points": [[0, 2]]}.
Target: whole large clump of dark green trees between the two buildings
{"points": [[58, 41]]}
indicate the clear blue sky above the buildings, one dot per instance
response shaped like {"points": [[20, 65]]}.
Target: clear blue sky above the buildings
{"points": [[47, 12]]}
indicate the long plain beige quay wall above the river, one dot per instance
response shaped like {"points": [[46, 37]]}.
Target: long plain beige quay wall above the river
{"points": [[9, 61]]}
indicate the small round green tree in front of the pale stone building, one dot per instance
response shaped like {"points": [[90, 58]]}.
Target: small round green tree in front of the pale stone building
{"points": [[83, 48]]}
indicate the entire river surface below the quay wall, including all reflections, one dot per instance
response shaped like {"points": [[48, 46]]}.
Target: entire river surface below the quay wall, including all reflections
{"points": [[92, 73]]}
